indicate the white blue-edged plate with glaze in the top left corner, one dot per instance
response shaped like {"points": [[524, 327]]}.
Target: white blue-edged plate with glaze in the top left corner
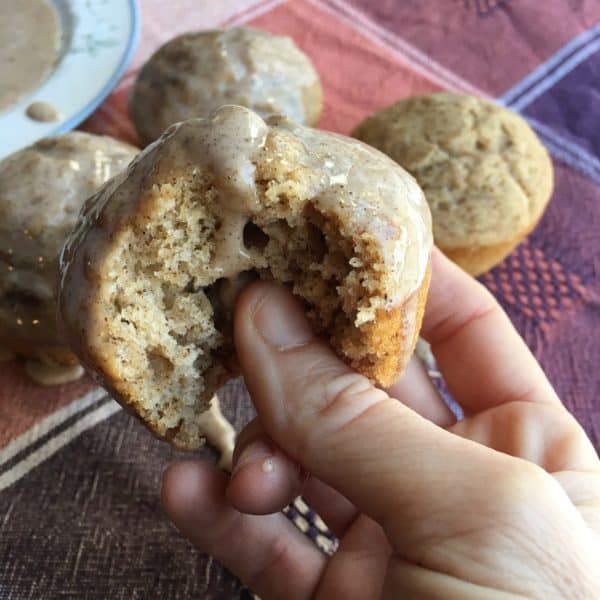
{"points": [[94, 44]]}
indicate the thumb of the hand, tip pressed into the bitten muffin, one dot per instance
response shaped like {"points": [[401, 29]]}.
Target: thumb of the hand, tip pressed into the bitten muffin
{"points": [[395, 466]]}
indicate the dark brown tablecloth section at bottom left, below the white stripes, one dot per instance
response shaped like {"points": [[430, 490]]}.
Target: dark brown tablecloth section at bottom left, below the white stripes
{"points": [[89, 524]]}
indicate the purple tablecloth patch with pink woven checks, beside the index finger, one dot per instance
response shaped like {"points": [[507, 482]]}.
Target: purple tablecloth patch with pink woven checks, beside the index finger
{"points": [[550, 288]]}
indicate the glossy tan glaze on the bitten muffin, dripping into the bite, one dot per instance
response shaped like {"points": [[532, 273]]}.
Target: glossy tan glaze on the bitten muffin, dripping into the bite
{"points": [[350, 180]]}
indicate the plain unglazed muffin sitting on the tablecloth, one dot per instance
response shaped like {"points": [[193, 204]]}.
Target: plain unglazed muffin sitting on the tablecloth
{"points": [[485, 174]]}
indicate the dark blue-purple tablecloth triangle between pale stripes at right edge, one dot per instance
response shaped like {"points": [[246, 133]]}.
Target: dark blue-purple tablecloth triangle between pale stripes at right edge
{"points": [[571, 107]]}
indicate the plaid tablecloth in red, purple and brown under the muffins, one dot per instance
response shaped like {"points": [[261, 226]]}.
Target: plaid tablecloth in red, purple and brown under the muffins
{"points": [[79, 510]]}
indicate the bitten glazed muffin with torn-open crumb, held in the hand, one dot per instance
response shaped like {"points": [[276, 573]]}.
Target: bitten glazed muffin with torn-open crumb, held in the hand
{"points": [[151, 272]]}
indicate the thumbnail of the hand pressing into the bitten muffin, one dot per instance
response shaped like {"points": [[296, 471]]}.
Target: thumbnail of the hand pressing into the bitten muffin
{"points": [[281, 321]]}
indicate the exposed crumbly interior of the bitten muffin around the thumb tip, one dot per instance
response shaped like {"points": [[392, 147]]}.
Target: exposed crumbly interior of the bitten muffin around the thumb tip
{"points": [[169, 312]]}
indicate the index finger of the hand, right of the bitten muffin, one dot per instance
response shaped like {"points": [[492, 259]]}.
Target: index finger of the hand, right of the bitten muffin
{"points": [[484, 360]]}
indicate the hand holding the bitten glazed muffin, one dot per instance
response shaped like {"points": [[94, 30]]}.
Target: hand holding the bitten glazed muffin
{"points": [[504, 503]]}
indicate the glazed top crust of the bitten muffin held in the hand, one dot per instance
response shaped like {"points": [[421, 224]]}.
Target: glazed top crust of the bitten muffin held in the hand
{"points": [[341, 178]]}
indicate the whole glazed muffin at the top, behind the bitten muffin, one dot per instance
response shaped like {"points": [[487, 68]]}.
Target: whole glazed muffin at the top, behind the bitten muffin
{"points": [[195, 73]]}
